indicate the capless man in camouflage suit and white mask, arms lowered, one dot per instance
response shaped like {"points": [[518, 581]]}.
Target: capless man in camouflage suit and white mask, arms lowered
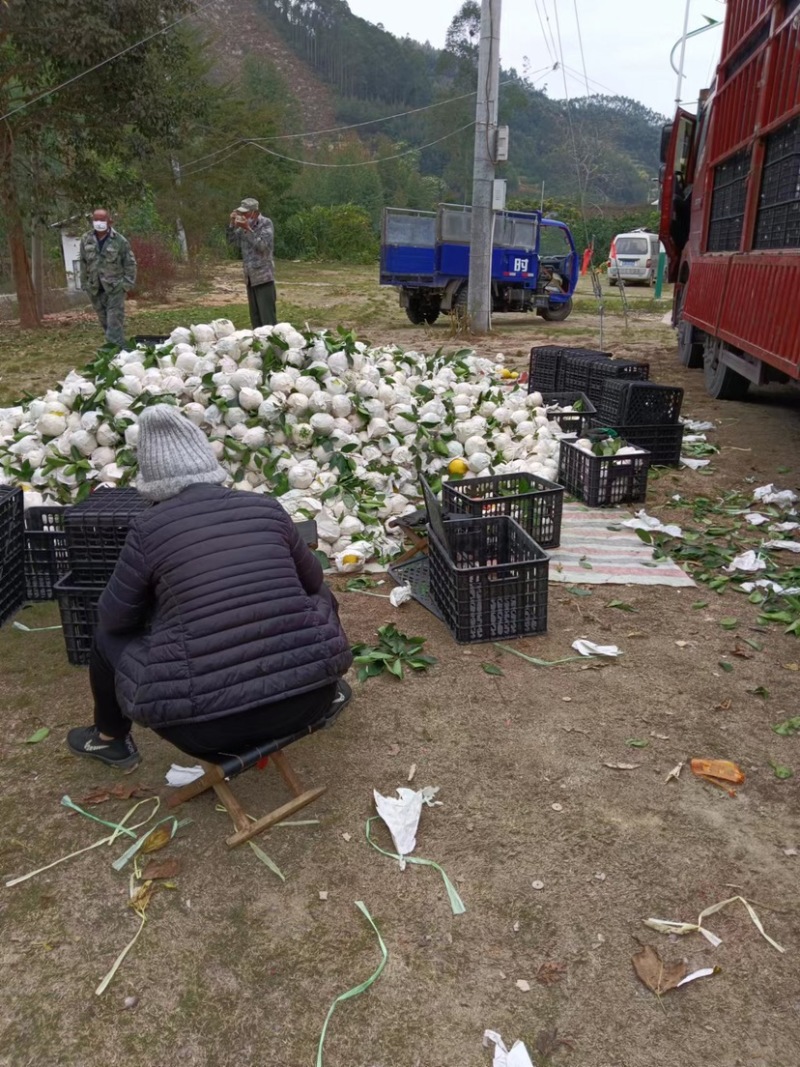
{"points": [[108, 273]]}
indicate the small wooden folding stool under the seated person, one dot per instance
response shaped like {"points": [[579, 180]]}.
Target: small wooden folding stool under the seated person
{"points": [[218, 775]]}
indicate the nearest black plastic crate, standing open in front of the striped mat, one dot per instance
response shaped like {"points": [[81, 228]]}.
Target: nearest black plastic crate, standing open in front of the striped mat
{"points": [[489, 581]]}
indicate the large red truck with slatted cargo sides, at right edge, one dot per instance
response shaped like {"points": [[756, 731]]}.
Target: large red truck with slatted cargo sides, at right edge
{"points": [[731, 206]]}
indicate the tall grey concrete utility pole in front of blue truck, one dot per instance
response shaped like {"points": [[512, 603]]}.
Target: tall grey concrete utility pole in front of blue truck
{"points": [[479, 304]]}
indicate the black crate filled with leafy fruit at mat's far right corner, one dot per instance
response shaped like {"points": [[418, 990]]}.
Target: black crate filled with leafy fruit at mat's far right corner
{"points": [[603, 481]]}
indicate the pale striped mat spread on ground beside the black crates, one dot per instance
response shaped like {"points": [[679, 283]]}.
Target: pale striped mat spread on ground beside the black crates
{"points": [[610, 558]]}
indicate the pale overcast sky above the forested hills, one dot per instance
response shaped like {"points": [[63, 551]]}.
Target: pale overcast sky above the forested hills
{"points": [[627, 43]]}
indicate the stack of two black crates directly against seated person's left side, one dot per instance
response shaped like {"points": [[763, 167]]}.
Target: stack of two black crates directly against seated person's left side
{"points": [[95, 533]]}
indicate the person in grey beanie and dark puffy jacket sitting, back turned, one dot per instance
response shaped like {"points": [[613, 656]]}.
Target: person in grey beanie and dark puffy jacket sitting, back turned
{"points": [[216, 630]]}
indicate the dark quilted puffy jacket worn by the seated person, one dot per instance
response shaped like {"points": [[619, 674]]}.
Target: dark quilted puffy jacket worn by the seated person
{"points": [[226, 607]]}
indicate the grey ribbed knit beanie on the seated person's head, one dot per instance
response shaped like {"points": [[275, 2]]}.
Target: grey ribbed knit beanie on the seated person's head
{"points": [[173, 454]]}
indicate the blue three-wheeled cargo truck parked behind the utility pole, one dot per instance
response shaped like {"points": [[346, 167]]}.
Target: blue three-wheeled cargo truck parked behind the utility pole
{"points": [[426, 254]]}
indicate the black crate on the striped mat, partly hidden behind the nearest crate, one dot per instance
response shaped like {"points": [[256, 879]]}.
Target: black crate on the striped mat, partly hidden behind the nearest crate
{"points": [[534, 502]]}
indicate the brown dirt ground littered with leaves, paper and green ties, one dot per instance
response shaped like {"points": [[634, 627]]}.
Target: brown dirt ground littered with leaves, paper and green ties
{"points": [[236, 968]]}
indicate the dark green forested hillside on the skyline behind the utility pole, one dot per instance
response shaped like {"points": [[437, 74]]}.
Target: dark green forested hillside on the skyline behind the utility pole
{"points": [[375, 74]]}
